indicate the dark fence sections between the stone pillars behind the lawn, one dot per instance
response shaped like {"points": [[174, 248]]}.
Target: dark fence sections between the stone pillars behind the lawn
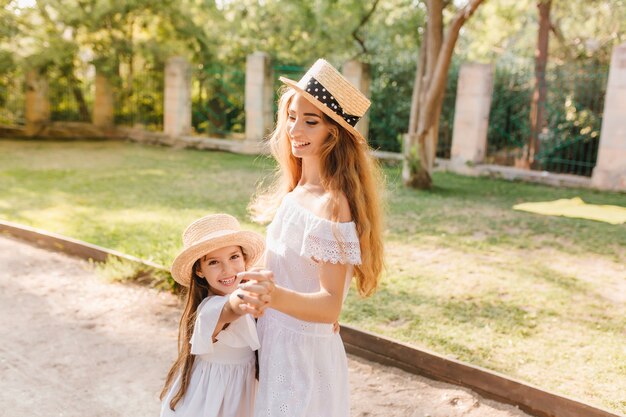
{"points": [[568, 137]]}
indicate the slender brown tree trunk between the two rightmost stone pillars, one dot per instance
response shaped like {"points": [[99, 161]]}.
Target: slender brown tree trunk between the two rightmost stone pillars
{"points": [[538, 103]]}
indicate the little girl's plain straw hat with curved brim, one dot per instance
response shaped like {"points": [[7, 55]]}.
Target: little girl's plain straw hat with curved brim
{"points": [[208, 234]]}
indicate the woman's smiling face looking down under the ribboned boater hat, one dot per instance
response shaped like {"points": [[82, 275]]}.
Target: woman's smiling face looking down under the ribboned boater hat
{"points": [[306, 128]]}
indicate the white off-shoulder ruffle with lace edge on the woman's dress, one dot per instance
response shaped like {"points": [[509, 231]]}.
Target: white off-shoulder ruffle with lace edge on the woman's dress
{"points": [[320, 239]]}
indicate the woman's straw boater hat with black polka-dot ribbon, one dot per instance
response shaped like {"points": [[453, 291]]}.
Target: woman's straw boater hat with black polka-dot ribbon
{"points": [[330, 92]]}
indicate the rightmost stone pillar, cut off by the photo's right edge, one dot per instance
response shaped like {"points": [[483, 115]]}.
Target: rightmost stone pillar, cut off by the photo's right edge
{"points": [[610, 170]]}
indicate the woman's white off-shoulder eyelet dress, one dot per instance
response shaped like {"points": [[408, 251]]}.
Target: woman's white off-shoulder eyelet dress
{"points": [[303, 365]]}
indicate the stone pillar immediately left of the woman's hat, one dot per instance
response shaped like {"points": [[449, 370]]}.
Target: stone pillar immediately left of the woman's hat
{"points": [[259, 97]]}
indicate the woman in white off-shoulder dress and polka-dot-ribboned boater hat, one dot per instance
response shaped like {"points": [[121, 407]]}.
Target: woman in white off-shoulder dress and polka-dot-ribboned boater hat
{"points": [[326, 228]]}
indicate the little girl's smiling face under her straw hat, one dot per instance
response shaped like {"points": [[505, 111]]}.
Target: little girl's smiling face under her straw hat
{"points": [[220, 269]]}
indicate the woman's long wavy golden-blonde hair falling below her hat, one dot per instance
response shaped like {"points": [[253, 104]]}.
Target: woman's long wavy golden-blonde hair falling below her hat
{"points": [[346, 167]]}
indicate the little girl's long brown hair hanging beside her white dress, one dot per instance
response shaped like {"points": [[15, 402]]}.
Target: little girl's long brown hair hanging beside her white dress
{"points": [[198, 291]]}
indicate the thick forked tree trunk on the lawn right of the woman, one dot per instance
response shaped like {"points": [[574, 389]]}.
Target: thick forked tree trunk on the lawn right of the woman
{"points": [[430, 81]]}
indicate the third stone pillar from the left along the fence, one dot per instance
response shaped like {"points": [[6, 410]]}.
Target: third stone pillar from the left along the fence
{"points": [[177, 98]]}
